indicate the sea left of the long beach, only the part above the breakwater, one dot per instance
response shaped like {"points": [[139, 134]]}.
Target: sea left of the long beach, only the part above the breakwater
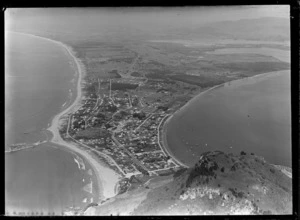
{"points": [[38, 81]]}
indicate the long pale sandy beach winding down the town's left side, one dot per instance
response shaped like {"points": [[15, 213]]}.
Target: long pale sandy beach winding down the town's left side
{"points": [[107, 178]]}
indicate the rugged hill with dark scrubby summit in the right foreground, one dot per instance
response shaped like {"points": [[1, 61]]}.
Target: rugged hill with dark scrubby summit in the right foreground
{"points": [[219, 183]]}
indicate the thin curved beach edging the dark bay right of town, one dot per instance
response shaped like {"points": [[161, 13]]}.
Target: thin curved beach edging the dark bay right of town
{"points": [[165, 124]]}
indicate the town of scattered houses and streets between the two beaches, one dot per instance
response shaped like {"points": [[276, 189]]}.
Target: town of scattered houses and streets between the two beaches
{"points": [[120, 120]]}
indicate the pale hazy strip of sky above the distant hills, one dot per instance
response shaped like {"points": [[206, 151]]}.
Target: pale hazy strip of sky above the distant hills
{"points": [[151, 14]]}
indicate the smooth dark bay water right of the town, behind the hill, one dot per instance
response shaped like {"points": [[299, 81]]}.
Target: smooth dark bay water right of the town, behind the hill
{"points": [[251, 115]]}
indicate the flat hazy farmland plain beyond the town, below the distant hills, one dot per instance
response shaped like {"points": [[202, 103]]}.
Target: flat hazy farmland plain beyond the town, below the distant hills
{"points": [[203, 65]]}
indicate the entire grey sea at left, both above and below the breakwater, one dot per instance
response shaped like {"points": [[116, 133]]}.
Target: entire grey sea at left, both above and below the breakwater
{"points": [[39, 83]]}
